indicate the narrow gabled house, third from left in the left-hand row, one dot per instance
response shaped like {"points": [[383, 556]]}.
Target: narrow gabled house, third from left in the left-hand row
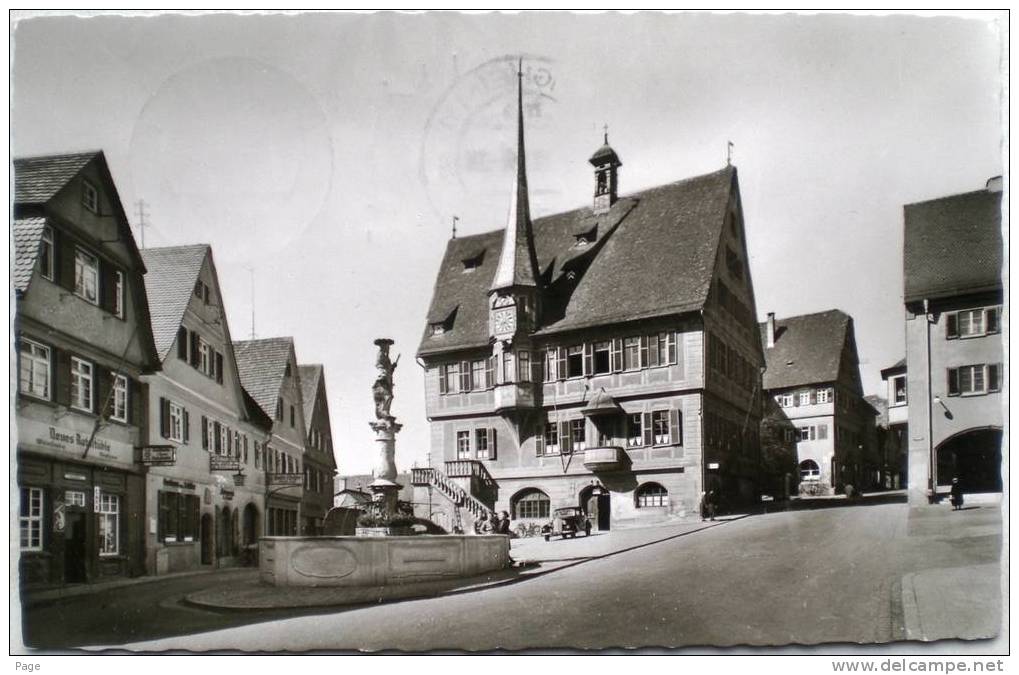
{"points": [[270, 374]]}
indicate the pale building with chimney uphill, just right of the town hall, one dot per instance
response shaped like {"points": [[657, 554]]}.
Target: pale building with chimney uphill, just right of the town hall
{"points": [[814, 376]]}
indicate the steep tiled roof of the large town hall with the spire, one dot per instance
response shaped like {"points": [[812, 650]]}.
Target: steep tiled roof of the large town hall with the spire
{"points": [[655, 255]]}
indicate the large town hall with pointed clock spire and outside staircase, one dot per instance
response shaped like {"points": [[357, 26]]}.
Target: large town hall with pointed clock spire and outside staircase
{"points": [[606, 358]]}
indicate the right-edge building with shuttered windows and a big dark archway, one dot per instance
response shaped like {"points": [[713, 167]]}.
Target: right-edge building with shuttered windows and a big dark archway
{"points": [[953, 296]]}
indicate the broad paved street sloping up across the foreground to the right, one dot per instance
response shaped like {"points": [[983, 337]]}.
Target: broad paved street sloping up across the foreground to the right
{"points": [[831, 575]]}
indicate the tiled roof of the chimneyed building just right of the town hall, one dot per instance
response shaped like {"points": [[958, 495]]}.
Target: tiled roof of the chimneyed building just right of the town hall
{"points": [[808, 349]]}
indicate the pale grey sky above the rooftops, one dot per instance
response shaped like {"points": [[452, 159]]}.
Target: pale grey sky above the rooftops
{"points": [[325, 157]]}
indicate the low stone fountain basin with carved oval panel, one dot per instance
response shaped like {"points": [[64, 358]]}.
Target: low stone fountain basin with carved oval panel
{"points": [[376, 561]]}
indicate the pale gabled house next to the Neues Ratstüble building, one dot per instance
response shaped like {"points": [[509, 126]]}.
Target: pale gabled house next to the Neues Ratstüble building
{"points": [[207, 431]]}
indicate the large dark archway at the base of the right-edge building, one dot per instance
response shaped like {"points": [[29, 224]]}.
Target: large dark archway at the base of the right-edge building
{"points": [[976, 458]]}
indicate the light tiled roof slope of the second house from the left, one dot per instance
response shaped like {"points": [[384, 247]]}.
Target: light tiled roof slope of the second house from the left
{"points": [[170, 284]]}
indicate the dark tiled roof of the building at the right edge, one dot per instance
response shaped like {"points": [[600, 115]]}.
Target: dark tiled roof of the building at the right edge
{"points": [[953, 245]]}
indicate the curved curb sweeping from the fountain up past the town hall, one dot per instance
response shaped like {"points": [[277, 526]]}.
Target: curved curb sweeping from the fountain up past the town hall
{"points": [[380, 595]]}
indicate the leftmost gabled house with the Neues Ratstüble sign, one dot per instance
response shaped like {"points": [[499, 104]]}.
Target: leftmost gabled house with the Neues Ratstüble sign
{"points": [[84, 341]]}
